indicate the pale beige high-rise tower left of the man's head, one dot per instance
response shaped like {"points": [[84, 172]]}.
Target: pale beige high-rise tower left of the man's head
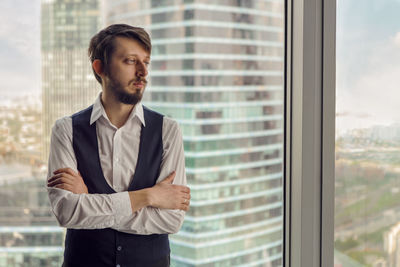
{"points": [[68, 84]]}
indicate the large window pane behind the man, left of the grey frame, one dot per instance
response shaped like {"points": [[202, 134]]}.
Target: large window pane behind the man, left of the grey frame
{"points": [[217, 69]]}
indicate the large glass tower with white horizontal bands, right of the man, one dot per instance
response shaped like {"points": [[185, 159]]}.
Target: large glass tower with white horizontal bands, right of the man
{"points": [[217, 67]]}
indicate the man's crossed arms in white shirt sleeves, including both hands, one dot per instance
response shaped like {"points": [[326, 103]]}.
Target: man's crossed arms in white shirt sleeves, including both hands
{"points": [[159, 209]]}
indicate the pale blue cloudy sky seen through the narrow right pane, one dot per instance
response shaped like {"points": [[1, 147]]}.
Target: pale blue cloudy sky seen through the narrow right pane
{"points": [[368, 63]]}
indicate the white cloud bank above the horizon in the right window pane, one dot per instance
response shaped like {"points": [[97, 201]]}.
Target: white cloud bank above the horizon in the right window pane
{"points": [[375, 92]]}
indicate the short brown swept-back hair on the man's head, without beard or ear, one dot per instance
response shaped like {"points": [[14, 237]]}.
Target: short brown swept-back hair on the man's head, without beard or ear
{"points": [[102, 44]]}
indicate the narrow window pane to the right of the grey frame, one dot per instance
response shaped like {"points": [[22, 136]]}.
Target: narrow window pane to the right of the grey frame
{"points": [[367, 197]]}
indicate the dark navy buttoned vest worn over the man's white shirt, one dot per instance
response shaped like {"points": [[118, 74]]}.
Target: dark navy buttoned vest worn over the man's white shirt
{"points": [[108, 247]]}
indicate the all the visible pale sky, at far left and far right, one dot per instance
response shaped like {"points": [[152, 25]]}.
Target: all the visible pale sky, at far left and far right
{"points": [[368, 58]]}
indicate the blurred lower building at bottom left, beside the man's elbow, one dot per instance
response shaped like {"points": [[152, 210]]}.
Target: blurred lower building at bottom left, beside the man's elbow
{"points": [[29, 235]]}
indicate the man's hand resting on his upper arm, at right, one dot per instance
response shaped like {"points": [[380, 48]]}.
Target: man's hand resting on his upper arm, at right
{"points": [[166, 195]]}
